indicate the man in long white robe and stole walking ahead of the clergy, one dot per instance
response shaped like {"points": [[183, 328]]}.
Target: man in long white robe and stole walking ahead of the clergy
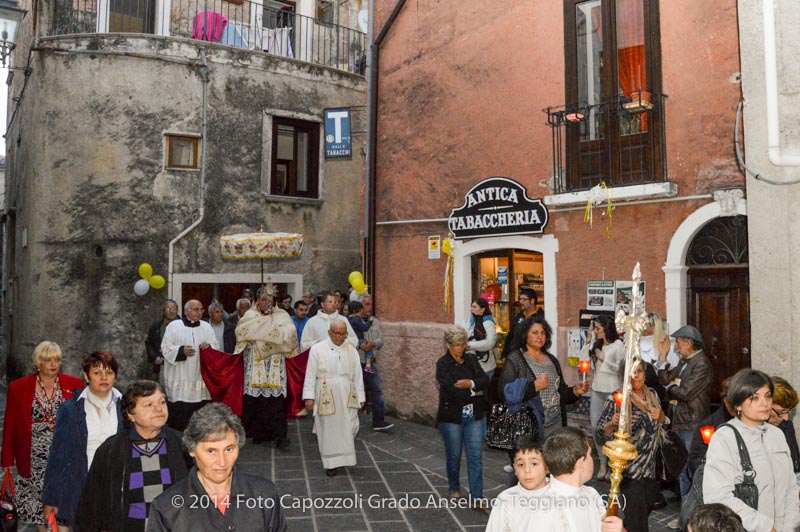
{"points": [[334, 391]]}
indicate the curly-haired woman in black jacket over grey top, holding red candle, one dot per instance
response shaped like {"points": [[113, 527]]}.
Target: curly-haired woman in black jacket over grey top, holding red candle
{"points": [[530, 359]]}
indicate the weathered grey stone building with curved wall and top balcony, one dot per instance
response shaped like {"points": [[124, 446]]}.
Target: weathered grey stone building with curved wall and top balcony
{"points": [[106, 163]]}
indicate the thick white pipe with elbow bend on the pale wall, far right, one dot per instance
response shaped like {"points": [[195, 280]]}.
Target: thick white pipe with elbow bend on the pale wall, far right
{"points": [[771, 85]]}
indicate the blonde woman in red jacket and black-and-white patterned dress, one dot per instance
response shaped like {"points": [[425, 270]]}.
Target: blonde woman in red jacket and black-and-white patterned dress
{"points": [[31, 409]]}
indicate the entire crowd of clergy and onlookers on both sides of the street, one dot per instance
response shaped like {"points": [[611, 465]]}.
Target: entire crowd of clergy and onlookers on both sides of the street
{"points": [[93, 458]]}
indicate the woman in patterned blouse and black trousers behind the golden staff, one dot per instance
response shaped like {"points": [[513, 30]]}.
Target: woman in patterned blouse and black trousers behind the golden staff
{"points": [[639, 487]]}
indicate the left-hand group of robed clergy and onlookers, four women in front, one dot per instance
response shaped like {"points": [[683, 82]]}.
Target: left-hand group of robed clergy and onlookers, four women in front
{"points": [[92, 458]]}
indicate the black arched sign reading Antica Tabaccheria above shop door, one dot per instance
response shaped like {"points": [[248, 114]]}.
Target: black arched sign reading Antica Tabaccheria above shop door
{"points": [[497, 206]]}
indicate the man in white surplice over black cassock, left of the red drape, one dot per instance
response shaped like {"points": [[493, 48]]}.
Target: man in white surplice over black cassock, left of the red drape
{"points": [[180, 347]]}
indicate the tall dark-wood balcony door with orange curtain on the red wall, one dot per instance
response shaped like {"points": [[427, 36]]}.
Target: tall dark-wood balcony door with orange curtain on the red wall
{"points": [[614, 111]]}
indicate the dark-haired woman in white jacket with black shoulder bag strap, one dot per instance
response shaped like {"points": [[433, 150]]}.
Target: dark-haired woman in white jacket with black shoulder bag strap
{"points": [[750, 394]]}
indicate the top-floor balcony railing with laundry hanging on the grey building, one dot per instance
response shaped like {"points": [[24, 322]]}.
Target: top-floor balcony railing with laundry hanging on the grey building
{"points": [[238, 23]]}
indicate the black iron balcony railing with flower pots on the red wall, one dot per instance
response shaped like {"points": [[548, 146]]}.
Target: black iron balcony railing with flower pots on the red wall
{"points": [[620, 142]]}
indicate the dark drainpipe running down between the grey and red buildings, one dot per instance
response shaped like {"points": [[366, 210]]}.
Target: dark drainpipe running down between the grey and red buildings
{"points": [[372, 127]]}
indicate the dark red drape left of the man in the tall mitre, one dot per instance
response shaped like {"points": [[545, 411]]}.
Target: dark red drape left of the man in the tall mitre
{"points": [[224, 377]]}
